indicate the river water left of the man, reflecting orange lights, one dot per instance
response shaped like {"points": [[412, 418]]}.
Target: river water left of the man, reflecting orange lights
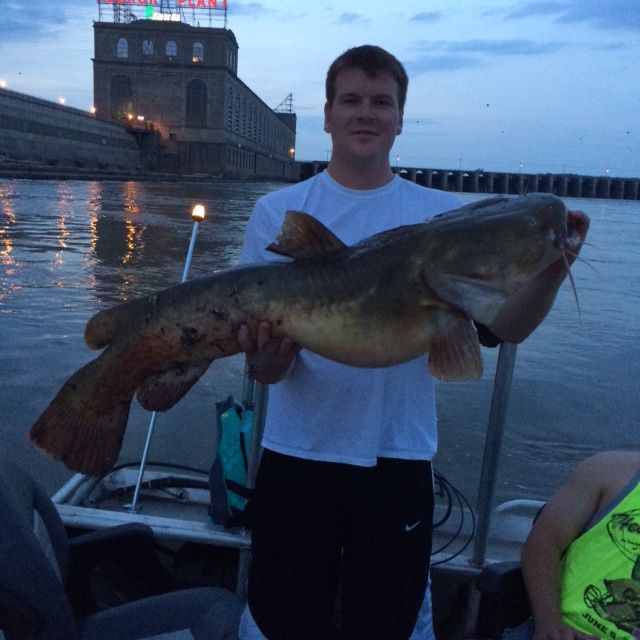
{"points": [[71, 248]]}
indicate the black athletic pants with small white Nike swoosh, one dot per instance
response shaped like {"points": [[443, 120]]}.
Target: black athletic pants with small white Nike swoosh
{"points": [[320, 528]]}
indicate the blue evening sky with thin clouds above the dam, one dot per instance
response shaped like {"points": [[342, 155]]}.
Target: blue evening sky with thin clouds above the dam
{"points": [[516, 85]]}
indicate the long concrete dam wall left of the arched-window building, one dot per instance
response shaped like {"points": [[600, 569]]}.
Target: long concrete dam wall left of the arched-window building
{"points": [[40, 137]]}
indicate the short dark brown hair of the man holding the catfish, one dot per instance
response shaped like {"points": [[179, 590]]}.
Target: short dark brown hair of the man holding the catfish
{"points": [[372, 61]]}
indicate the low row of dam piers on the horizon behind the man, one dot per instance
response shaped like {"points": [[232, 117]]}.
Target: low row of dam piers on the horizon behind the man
{"points": [[492, 182]]}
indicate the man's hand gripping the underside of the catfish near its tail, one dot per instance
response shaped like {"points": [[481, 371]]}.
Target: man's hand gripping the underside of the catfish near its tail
{"points": [[270, 359]]}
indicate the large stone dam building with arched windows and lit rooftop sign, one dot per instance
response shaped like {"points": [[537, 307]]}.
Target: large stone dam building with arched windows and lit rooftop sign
{"points": [[175, 85]]}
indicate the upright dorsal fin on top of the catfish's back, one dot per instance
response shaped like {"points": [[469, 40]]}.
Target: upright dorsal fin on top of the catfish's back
{"points": [[305, 238]]}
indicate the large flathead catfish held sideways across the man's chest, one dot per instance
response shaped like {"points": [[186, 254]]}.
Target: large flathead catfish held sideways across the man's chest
{"points": [[383, 301]]}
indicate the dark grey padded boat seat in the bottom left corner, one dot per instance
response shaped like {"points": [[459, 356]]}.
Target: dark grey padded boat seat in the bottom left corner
{"points": [[44, 587]]}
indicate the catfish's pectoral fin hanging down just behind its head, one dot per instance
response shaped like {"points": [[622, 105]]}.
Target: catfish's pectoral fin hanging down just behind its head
{"points": [[455, 352]]}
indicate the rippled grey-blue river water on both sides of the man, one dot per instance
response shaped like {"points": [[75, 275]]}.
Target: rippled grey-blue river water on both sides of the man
{"points": [[70, 248]]}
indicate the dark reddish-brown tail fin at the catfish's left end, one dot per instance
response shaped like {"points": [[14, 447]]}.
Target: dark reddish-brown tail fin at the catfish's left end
{"points": [[85, 442]]}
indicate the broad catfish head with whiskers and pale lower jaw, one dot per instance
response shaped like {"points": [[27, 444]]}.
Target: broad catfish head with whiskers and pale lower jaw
{"points": [[502, 260]]}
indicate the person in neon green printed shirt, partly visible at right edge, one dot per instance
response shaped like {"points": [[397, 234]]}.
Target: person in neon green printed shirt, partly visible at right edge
{"points": [[581, 561]]}
